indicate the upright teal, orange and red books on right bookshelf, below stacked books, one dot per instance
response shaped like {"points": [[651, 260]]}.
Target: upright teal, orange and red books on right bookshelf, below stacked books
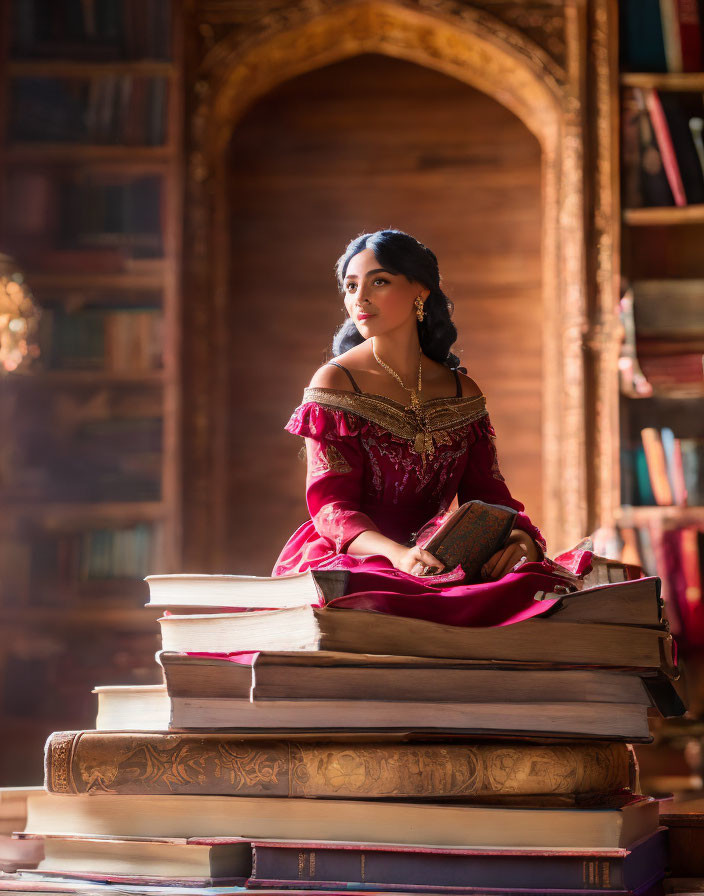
{"points": [[663, 469]]}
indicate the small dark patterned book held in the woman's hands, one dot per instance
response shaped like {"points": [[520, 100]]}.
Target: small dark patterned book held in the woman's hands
{"points": [[470, 536]]}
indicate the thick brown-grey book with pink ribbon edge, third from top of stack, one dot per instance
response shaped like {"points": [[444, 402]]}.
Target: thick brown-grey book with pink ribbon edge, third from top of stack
{"points": [[288, 676]]}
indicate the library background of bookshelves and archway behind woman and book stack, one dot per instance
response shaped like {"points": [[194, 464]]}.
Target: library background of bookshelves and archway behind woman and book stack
{"points": [[177, 180]]}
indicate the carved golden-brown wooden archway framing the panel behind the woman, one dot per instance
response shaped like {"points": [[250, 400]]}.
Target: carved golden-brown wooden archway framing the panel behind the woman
{"points": [[466, 43]]}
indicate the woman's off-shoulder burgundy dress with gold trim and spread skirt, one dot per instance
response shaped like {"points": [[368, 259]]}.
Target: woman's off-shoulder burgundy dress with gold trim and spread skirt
{"points": [[374, 464]]}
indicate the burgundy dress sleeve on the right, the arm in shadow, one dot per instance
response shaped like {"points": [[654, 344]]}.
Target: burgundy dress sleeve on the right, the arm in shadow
{"points": [[482, 479]]}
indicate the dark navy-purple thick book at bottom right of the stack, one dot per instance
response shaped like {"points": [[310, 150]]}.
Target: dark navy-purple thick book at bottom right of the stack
{"points": [[337, 865]]}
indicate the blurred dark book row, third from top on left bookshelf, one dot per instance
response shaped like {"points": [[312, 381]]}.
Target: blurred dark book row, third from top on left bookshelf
{"points": [[75, 210]]}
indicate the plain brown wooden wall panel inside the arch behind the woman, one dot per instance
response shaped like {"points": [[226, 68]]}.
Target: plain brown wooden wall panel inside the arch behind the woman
{"points": [[367, 143]]}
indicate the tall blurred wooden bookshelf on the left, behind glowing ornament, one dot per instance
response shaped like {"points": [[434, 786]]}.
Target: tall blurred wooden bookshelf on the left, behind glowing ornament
{"points": [[90, 204]]}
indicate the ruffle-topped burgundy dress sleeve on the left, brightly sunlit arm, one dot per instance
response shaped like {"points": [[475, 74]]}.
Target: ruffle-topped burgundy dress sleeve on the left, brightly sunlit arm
{"points": [[334, 472]]}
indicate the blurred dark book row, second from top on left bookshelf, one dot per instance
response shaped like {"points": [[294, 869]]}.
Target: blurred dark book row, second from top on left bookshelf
{"points": [[105, 109]]}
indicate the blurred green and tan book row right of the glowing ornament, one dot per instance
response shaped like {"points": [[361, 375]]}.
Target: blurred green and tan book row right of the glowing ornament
{"points": [[117, 340]]}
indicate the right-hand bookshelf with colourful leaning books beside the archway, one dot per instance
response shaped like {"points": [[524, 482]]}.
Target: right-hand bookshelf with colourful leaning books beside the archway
{"points": [[662, 398]]}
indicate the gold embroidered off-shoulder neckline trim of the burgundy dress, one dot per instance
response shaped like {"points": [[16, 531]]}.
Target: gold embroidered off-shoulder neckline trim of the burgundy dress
{"points": [[424, 428]]}
